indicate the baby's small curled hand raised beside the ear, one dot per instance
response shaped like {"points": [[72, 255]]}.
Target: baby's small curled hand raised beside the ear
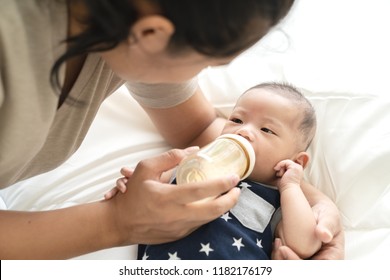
{"points": [[289, 172]]}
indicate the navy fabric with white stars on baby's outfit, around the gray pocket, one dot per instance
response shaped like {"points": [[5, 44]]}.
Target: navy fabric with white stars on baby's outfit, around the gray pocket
{"points": [[224, 238]]}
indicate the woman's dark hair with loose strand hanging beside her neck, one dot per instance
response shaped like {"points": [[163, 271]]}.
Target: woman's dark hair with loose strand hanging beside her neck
{"points": [[216, 28]]}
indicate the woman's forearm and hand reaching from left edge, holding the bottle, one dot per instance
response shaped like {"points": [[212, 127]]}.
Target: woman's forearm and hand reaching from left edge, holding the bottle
{"points": [[149, 212]]}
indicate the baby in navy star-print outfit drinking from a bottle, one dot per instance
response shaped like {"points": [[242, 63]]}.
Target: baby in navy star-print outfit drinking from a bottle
{"points": [[280, 124]]}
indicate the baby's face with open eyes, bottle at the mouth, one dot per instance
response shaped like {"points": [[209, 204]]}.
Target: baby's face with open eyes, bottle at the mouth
{"points": [[270, 122]]}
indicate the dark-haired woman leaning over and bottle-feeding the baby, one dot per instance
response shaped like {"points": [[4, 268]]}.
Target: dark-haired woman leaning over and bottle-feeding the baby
{"points": [[51, 90]]}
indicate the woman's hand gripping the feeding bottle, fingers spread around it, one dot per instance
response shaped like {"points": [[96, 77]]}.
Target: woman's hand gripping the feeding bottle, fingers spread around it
{"points": [[151, 211]]}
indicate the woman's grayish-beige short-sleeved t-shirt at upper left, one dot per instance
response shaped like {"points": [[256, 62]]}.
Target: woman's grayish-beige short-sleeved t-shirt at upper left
{"points": [[35, 137]]}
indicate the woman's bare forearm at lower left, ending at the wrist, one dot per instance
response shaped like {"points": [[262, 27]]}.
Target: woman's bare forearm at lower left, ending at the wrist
{"points": [[56, 234]]}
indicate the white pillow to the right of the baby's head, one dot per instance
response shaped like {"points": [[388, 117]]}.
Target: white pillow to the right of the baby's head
{"points": [[351, 156]]}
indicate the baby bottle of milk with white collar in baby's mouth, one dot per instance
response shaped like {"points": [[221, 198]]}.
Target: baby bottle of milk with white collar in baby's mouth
{"points": [[228, 154]]}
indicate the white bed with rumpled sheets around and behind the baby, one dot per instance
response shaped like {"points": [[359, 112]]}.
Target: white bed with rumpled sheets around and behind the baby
{"points": [[336, 52]]}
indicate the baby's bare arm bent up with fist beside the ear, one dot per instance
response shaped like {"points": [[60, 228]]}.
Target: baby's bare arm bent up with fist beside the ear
{"points": [[297, 227]]}
